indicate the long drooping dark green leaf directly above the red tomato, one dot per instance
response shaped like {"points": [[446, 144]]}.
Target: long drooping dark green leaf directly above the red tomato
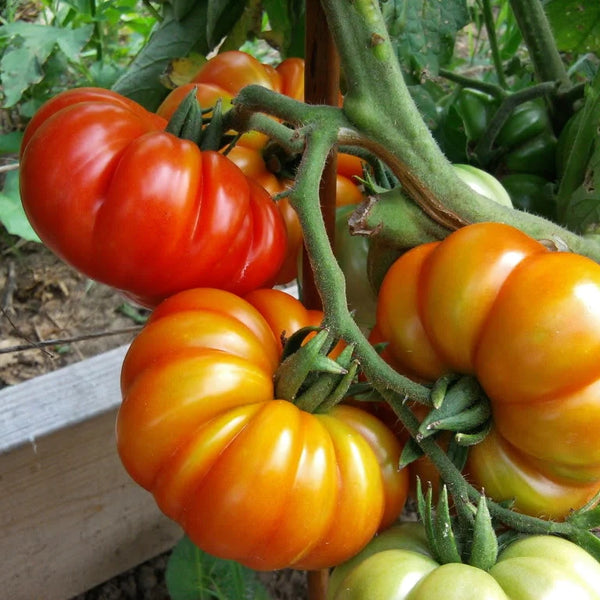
{"points": [[172, 39]]}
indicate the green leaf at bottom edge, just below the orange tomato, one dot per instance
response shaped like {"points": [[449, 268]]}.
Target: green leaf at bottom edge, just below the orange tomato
{"points": [[195, 575]]}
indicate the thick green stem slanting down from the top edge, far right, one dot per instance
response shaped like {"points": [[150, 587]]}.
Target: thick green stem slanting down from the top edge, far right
{"points": [[538, 37]]}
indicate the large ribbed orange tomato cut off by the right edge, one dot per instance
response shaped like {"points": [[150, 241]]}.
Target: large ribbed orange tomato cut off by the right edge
{"points": [[491, 302]]}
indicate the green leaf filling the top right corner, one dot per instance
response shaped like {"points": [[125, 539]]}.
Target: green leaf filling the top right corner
{"points": [[575, 24]]}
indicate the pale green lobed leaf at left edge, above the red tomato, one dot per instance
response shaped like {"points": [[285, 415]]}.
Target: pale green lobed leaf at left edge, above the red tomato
{"points": [[28, 49]]}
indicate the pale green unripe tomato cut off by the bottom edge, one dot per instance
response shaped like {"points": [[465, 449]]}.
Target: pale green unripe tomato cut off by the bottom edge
{"points": [[397, 565]]}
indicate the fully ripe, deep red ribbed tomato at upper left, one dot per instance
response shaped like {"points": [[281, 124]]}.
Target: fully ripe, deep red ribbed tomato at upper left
{"points": [[127, 204]]}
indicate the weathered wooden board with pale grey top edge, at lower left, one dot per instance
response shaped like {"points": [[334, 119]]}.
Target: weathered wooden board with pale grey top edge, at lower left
{"points": [[70, 517]]}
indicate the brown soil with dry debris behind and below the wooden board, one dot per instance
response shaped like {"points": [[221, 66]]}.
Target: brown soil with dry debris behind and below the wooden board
{"points": [[52, 316]]}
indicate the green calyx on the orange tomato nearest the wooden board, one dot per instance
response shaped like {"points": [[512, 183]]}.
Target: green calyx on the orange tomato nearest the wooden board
{"points": [[310, 378]]}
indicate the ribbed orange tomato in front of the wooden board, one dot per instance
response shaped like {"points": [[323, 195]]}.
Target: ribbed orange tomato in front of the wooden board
{"points": [[248, 476]]}
